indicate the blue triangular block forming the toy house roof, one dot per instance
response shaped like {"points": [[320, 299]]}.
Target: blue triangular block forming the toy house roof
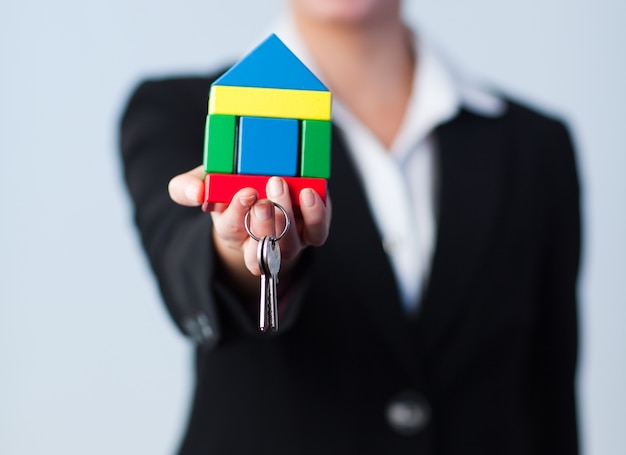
{"points": [[271, 65]]}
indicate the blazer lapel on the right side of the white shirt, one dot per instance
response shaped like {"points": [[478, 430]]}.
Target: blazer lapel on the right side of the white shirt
{"points": [[472, 164]]}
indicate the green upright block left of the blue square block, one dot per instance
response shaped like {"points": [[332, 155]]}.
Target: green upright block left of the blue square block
{"points": [[219, 144]]}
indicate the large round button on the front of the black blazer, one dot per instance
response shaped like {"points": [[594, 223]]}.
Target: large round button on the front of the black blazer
{"points": [[408, 413]]}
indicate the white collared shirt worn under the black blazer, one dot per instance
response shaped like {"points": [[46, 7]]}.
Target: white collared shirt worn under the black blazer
{"points": [[404, 207]]}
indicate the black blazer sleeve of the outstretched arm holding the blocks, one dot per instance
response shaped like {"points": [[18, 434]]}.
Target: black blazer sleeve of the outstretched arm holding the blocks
{"points": [[161, 135]]}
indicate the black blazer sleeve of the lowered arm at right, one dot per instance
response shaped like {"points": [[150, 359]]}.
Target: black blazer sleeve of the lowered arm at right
{"points": [[556, 342]]}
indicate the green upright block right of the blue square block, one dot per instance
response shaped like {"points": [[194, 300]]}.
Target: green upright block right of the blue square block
{"points": [[315, 149]]}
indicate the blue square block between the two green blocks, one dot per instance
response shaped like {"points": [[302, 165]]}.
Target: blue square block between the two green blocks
{"points": [[268, 146]]}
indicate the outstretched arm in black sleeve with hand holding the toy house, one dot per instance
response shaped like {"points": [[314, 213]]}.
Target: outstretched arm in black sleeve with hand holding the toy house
{"points": [[204, 264]]}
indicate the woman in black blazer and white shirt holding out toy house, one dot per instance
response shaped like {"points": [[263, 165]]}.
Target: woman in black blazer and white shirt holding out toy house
{"points": [[435, 314]]}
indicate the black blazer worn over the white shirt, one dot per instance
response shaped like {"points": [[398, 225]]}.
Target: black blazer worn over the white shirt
{"points": [[487, 366]]}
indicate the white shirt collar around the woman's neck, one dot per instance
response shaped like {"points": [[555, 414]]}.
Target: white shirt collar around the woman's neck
{"points": [[439, 91]]}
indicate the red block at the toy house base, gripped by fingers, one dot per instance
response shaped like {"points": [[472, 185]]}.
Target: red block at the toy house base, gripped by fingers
{"points": [[222, 187]]}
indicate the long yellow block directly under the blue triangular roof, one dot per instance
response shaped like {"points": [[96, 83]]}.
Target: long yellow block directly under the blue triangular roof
{"points": [[270, 102]]}
